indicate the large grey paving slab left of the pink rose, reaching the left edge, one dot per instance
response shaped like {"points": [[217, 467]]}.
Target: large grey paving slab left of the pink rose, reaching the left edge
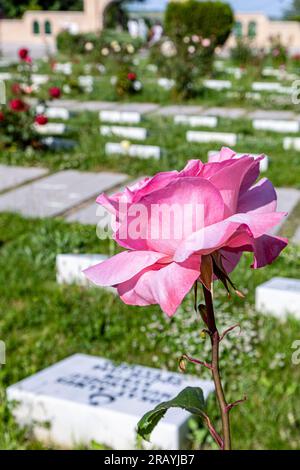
{"points": [[57, 193]]}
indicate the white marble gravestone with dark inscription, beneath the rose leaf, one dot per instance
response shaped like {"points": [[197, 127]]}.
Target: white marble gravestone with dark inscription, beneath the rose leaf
{"points": [[87, 398]]}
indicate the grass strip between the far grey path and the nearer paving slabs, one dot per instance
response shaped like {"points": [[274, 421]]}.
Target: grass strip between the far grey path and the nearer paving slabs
{"points": [[89, 154]]}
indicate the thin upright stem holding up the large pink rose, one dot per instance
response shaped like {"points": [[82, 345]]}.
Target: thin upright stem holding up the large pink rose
{"points": [[215, 342]]}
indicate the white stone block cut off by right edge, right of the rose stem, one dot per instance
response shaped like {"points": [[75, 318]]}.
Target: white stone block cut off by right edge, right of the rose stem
{"points": [[279, 297]]}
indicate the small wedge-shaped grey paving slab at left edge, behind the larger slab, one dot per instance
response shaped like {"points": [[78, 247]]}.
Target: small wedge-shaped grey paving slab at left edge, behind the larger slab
{"points": [[11, 176]]}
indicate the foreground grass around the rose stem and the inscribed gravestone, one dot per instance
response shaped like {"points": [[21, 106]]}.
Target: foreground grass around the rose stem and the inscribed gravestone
{"points": [[42, 322]]}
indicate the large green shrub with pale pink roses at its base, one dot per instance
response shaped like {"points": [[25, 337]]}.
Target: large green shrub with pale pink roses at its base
{"points": [[194, 30]]}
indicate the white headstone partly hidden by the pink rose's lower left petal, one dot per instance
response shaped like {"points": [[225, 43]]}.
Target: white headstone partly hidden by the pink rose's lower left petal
{"points": [[69, 268]]}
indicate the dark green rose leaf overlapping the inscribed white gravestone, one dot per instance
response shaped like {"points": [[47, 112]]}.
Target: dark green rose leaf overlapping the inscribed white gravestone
{"points": [[190, 399]]}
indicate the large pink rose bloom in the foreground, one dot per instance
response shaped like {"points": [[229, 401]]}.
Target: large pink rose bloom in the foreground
{"points": [[219, 213]]}
